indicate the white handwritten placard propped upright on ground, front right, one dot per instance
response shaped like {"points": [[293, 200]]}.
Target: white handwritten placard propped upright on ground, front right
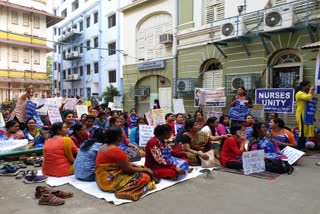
{"points": [[253, 162]]}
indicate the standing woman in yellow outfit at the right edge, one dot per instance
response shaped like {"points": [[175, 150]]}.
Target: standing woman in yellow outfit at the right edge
{"points": [[305, 94]]}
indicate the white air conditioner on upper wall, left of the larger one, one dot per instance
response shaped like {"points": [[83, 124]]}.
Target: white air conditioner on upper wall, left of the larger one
{"points": [[233, 27]]}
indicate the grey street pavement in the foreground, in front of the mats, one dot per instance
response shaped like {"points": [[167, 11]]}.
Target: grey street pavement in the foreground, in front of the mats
{"points": [[224, 193]]}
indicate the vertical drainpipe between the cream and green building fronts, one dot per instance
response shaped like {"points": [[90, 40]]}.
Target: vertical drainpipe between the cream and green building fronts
{"points": [[175, 51]]}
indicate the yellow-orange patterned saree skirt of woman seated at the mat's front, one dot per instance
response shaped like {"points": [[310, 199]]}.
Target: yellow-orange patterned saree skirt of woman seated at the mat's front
{"points": [[111, 178]]}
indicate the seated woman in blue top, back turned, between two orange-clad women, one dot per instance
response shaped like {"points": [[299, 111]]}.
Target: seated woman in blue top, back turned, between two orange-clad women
{"points": [[84, 165]]}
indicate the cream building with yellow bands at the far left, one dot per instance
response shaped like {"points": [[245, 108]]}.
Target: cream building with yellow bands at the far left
{"points": [[23, 48]]}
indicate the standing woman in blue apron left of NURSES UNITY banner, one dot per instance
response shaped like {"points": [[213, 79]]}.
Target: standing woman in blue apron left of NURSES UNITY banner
{"points": [[240, 105]]}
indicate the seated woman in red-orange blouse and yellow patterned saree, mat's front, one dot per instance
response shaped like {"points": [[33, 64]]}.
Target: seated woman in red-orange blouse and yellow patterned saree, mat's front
{"points": [[114, 172]]}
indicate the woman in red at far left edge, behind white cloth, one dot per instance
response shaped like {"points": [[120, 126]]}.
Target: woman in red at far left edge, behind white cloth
{"points": [[12, 132]]}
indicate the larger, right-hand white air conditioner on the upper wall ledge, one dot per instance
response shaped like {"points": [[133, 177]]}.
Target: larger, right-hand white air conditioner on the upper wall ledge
{"points": [[278, 18]]}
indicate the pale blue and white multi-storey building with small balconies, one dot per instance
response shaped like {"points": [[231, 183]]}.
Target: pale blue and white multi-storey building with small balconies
{"points": [[87, 57]]}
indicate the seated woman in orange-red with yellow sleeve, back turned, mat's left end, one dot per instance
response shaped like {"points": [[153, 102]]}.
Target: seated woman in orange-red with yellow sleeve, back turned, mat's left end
{"points": [[59, 152]]}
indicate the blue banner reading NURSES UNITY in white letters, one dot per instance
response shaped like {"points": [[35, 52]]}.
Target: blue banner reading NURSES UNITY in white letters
{"points": [[275, 100]]}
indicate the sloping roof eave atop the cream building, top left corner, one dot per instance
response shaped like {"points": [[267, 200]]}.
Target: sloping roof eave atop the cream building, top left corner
{"points": [[50, 18]]}
